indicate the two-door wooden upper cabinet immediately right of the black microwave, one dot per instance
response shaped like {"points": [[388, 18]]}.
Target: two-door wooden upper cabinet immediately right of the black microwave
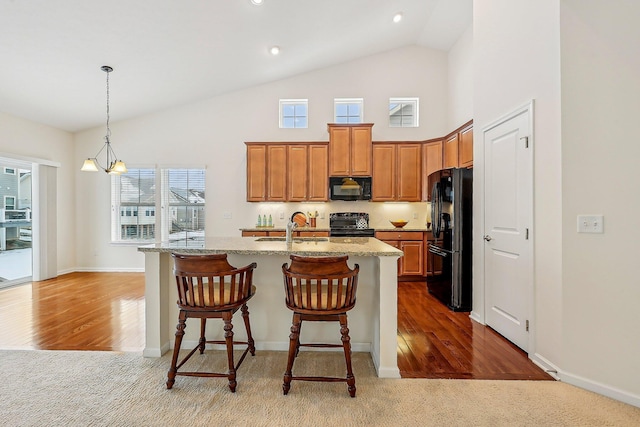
{"points": [[397, 172]]}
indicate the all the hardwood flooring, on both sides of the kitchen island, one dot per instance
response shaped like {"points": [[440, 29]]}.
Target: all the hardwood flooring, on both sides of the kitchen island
{"points": [[105, 311]]}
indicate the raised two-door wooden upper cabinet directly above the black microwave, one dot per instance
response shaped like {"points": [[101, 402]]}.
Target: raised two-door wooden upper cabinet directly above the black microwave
{"points": [[350, 149]]}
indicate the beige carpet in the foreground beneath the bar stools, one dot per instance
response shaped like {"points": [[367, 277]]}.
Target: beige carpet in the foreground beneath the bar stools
{"points": [[69, 388]]}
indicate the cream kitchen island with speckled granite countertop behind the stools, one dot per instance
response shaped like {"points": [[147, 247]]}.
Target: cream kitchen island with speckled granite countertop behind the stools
{"points": [[372, 323]]}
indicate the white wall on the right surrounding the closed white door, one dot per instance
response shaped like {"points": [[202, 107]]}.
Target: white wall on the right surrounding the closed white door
{"points": [[586, 286]]}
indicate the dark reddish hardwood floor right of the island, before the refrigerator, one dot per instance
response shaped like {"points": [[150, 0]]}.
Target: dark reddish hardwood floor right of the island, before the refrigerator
{"points": [[435, 342]]}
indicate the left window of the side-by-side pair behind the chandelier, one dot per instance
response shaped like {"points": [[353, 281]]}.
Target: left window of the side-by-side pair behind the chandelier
{"points": [[132, 192]]}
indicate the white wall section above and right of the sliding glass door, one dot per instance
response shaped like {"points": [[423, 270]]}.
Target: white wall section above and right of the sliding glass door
{"points": [[21, 137]]}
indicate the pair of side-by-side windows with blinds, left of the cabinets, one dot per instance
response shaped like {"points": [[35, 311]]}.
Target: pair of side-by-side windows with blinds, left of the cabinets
{"points": [[180, 195]]}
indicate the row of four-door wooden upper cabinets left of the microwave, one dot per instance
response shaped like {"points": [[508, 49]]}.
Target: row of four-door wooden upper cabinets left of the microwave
{"points": [[287, 172]]}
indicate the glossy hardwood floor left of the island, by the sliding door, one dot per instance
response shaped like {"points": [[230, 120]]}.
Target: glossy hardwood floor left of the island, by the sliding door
{"points": [[77, 311]]}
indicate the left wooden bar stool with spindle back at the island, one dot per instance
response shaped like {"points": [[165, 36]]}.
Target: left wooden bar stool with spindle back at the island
{"points": [[210, 288]]}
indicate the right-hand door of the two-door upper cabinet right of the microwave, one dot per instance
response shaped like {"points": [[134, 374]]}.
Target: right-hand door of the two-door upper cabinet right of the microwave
{"points": [[409, 172]]}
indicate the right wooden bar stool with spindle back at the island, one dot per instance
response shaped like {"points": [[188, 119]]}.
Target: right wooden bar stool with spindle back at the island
{"points": [[319, 289]]}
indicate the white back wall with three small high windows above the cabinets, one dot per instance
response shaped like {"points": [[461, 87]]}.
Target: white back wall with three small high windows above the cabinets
{"points": [[212, 134]]}
